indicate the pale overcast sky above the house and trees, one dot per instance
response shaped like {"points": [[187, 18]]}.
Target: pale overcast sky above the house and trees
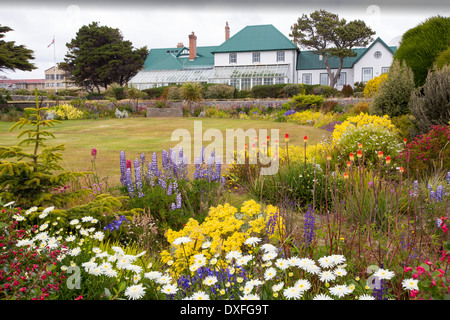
{"points": [[161, 24]]}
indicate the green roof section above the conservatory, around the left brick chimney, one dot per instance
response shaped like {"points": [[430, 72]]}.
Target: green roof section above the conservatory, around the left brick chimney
{"points": [[171, 58]]}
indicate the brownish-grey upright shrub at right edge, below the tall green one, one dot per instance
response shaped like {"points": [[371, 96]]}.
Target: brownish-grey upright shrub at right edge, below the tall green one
{"points": [[430, 104]]}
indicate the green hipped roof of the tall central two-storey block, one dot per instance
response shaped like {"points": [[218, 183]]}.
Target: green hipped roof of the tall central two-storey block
{"points": [[256, 38]]}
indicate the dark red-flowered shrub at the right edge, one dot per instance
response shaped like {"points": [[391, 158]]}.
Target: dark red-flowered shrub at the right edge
{"points": [[428, 151]]}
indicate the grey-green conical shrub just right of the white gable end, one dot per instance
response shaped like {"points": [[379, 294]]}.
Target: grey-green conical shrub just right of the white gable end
{"points": [[394, 93]]}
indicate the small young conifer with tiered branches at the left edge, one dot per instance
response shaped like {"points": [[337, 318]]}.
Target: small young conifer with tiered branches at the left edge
{"points": [[35, 177]]}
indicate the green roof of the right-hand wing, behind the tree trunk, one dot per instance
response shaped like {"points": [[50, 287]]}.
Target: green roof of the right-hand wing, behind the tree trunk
{"points": [[307, 60]]}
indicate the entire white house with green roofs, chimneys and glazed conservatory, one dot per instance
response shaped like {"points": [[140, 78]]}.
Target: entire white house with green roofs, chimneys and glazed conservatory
{"points": [[256, 55]]}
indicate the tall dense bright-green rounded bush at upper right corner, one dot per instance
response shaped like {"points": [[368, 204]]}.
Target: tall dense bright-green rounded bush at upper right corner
{"points": [[421, 45]]}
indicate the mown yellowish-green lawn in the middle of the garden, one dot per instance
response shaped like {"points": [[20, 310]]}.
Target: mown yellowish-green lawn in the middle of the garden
{"points": [[142, 135]]}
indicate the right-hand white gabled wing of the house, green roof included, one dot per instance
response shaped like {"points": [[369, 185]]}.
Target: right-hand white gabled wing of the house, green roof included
{"points": [[369, 62]]}
